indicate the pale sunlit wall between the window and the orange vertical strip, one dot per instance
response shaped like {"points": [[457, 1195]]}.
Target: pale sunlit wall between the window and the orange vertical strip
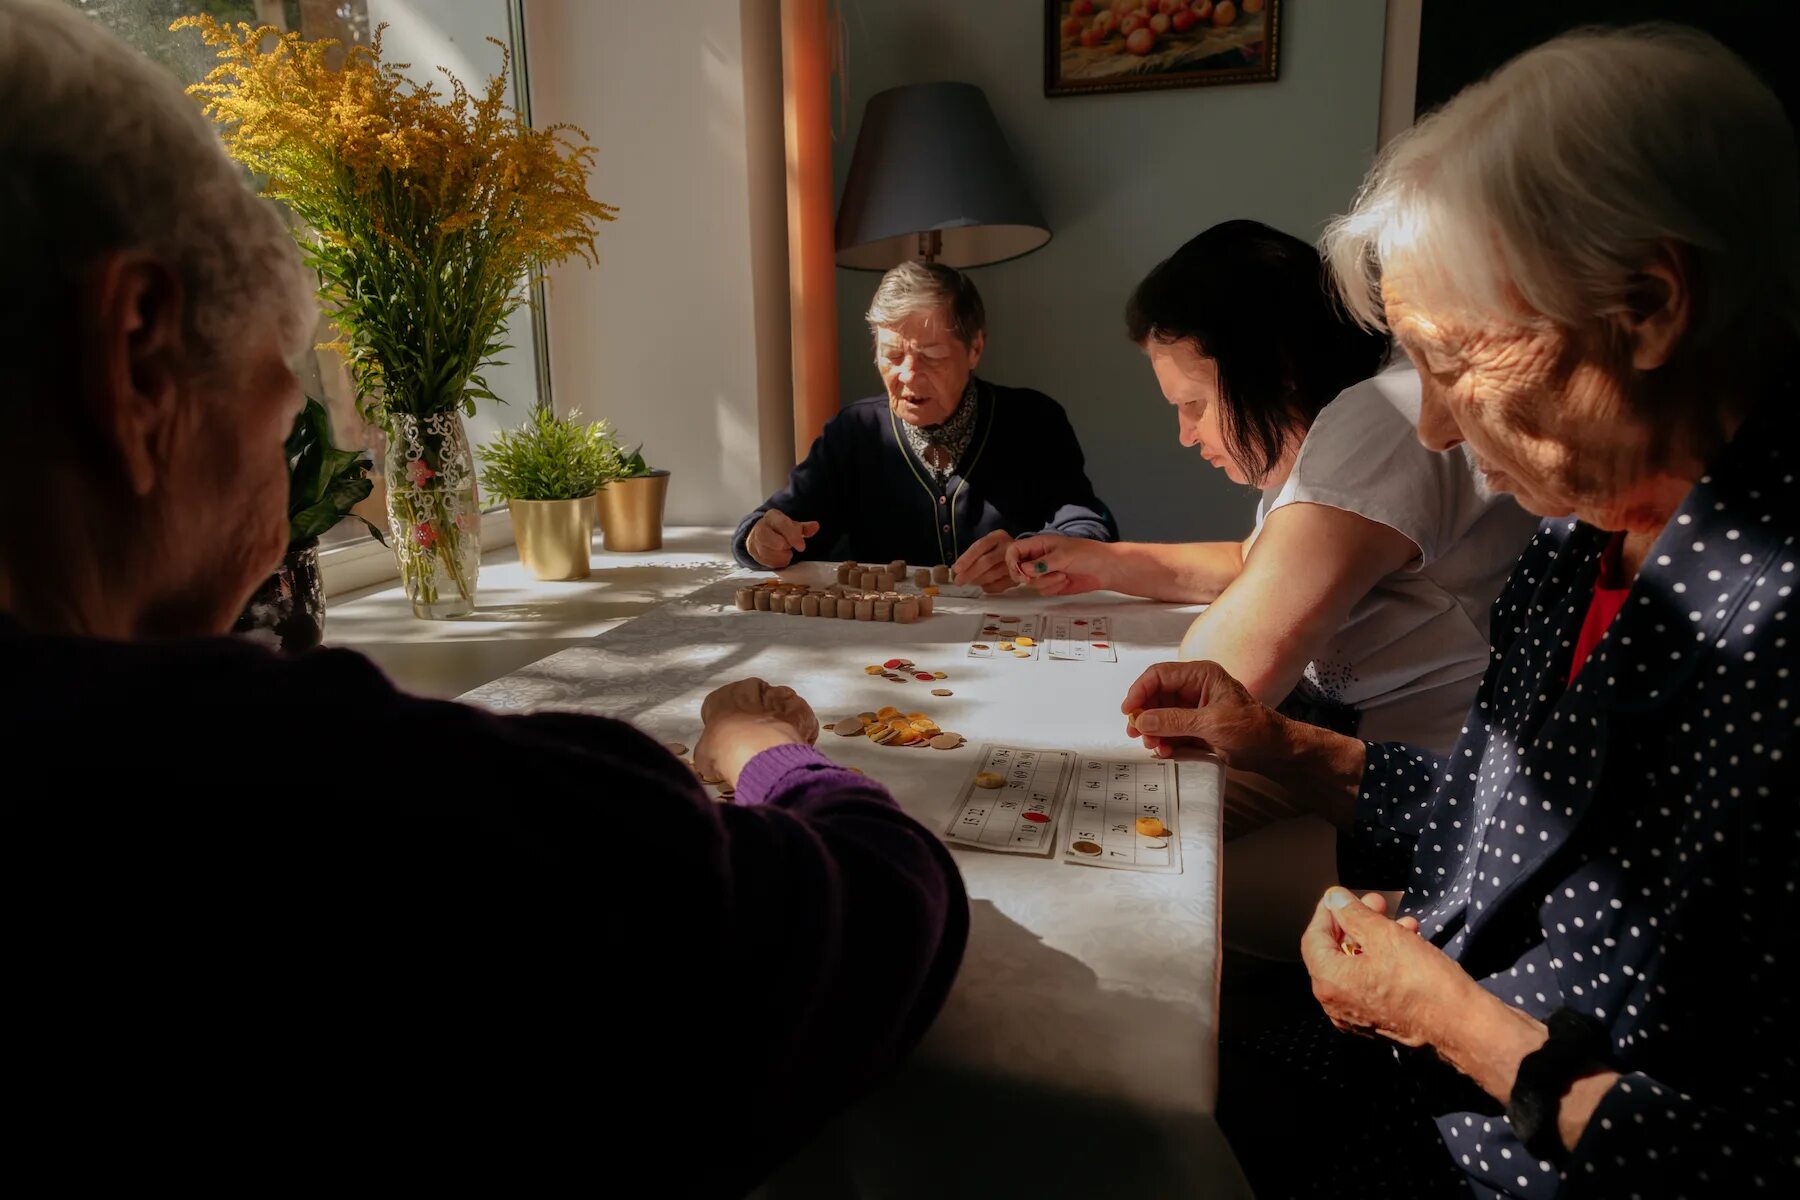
{"points": [[679, 336]]}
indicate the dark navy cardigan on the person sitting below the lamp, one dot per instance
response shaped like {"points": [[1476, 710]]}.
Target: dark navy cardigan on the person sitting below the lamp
{"points": [[876, 501]]}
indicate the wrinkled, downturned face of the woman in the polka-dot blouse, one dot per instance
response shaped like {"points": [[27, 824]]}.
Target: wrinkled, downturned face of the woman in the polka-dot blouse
{"points": [[1547, 415]]}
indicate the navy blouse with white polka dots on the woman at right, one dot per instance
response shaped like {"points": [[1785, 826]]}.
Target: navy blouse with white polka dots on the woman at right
{"points": [[1630, 846]]}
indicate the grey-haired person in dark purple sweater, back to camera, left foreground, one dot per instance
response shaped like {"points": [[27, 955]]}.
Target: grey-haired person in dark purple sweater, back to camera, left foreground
{"points": [[251, 936]]}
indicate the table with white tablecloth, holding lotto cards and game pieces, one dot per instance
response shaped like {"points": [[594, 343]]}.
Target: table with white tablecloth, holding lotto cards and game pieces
{"points": [[1077, 1053]]}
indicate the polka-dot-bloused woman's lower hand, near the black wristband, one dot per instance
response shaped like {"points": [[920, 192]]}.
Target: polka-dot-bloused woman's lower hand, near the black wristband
{"points": [[1394, 983]]}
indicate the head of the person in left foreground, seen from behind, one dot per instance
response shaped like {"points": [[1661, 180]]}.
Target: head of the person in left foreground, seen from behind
{"points": [[148, 301]]}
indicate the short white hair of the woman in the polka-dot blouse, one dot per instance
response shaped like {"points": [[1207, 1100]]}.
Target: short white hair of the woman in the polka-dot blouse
{"points": [[1536, 195]]}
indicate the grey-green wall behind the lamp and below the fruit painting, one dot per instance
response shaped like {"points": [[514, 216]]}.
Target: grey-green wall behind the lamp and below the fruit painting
{"points": [[1124, 179]]}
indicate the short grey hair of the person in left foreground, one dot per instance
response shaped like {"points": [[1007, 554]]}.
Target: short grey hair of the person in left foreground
{"points": [[103, 150]]}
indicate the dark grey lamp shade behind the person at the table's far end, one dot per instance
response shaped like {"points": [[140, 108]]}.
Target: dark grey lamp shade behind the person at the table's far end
{"points": [[931, 157]]}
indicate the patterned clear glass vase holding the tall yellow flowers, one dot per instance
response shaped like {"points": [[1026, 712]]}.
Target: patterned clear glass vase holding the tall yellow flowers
{"points": [[435, 514]]}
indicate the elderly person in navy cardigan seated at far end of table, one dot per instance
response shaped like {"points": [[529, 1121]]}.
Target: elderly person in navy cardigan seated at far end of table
{"points": [[944, 469]]}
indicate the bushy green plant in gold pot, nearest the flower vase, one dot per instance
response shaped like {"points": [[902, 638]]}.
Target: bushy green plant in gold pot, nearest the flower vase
{"points": [[548, 472]]}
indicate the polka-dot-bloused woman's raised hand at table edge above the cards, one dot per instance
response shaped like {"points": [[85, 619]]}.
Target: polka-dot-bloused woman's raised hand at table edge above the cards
{"points": [[1185, 710]]}
